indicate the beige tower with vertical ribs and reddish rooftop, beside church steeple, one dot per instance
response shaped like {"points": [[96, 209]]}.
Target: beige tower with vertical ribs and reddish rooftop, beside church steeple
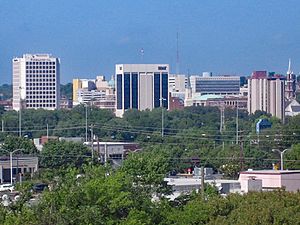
{"points": [[266, 94]]}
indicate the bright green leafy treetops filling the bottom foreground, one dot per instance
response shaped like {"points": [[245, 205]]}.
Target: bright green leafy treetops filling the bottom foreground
{"points": [[104, 196]]}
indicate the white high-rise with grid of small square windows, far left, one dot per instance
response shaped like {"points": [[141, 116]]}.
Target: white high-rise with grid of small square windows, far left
{"points": [[36, 82]]}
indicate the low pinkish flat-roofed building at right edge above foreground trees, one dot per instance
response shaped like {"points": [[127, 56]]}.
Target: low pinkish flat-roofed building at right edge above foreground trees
{"points": [[268, 180]]}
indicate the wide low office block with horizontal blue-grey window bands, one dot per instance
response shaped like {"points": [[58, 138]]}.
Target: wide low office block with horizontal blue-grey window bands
{"points": [[216, 85]]}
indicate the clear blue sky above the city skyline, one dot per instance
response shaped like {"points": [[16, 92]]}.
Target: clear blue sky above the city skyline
{"points": [[91, 36]]}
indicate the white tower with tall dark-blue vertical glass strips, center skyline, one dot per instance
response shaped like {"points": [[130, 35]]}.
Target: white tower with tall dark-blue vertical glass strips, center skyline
{"points": [[141, 86]]}
